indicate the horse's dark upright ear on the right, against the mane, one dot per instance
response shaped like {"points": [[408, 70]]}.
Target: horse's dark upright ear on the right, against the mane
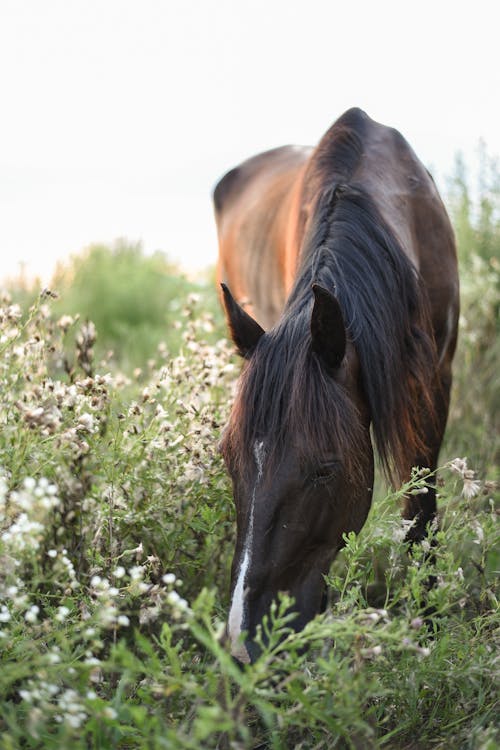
{"points": [[327, 328]]}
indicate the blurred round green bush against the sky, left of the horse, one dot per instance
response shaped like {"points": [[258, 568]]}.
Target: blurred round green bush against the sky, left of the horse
{"points": [[133, 299]]}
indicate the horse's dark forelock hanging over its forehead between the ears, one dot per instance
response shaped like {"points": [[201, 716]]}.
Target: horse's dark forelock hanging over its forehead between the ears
{"points": [[284, 396]]}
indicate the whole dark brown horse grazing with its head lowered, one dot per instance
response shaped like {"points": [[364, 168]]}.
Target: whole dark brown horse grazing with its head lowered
{"points": [[344, 303]]}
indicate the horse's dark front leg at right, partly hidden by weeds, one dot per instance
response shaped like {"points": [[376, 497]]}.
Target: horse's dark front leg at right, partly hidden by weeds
{"points": [[421, 508]]}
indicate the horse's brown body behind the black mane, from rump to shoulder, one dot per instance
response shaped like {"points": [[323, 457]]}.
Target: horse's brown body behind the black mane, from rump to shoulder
{"points": [[264, 208]]}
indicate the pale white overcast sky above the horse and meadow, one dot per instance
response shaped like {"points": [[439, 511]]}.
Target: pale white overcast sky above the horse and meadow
{"points": [[119, 116]]}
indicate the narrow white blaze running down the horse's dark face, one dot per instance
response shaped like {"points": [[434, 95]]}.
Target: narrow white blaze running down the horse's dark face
{"points": [[238, 602]]}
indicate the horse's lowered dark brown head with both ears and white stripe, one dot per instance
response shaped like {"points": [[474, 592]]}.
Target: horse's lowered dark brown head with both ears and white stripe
{"points": [[298, 450]]}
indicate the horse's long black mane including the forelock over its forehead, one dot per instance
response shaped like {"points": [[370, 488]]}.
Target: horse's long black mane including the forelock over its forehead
{"points": [[284, 390]]}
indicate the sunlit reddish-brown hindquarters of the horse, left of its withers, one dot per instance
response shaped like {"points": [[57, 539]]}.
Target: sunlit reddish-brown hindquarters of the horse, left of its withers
{"points": [[258, 215]]}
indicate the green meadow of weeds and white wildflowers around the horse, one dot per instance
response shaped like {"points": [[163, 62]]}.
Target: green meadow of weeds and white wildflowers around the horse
{"points": [[117, 530]]}
